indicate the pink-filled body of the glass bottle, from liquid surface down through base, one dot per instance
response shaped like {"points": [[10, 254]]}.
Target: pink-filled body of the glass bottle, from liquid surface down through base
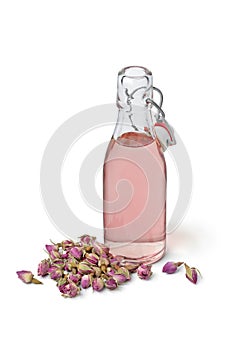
{"points": [[135, 198]]}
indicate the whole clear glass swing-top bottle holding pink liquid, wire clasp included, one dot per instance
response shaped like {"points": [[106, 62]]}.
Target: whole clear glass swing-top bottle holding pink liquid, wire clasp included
{"points": [[134, 174]]}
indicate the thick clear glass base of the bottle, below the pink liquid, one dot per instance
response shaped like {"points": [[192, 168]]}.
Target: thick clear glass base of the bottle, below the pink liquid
{"points": [[138, 252]]}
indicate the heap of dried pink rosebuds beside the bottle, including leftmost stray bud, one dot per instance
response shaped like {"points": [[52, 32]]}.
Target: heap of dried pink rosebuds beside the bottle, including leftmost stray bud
{"points": [[83, 264]]}
